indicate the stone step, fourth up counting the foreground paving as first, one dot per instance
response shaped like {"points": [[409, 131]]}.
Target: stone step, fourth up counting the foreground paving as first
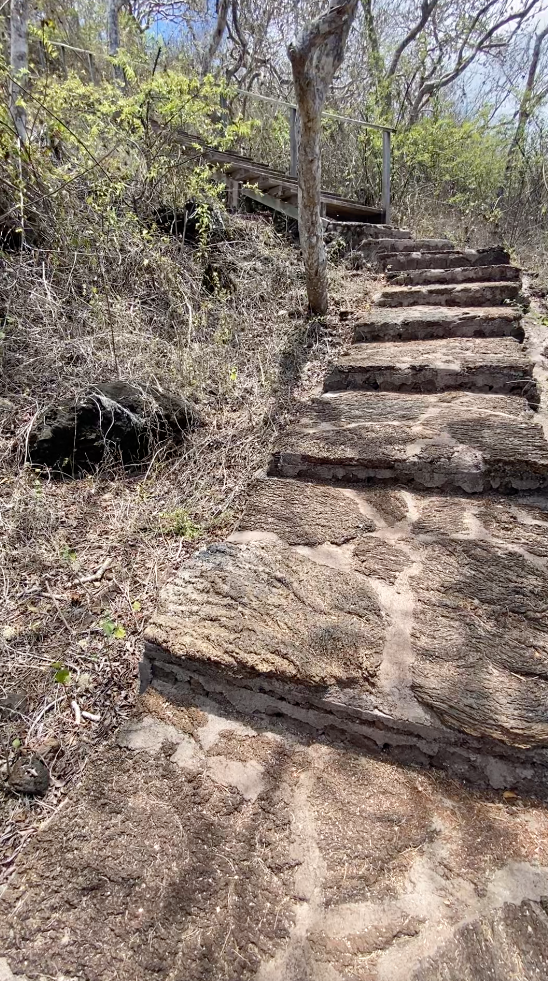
{"points": [[471, 364]]}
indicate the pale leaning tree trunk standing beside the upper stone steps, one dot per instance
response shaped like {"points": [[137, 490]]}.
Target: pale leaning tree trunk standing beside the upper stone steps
{"points": [[316, 55]]}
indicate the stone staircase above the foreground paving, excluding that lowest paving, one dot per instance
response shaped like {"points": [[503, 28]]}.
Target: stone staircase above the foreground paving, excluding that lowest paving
{"points": [[360, 521]]}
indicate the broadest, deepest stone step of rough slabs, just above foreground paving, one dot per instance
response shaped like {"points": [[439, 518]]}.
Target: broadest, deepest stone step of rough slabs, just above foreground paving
{"points": [[396, 636]]}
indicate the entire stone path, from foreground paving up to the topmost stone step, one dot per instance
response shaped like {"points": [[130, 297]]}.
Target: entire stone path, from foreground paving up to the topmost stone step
{"points": [[342, 764]]}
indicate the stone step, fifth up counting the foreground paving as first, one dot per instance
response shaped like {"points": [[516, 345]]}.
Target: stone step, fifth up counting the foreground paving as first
{"points": [[421, 323]]}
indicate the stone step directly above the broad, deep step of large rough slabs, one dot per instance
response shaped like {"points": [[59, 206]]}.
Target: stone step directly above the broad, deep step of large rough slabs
{"points": [[451, 441]]}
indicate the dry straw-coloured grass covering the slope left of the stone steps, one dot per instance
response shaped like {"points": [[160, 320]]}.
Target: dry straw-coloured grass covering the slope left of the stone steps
{"points": [[82, 561]]}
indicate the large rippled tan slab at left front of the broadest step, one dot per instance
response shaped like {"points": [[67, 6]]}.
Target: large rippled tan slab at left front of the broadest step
{"points": [[262, 607]]}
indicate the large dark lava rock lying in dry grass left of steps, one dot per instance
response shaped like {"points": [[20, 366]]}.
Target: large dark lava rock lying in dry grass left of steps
{"points": [[111, 421]]}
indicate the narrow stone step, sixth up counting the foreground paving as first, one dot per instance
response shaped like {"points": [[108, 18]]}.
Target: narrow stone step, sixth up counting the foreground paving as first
{"points": [[486, 294]]}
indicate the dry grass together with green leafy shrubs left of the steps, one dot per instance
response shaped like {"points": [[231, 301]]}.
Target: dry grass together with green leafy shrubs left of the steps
{"points": [[95, 287]]}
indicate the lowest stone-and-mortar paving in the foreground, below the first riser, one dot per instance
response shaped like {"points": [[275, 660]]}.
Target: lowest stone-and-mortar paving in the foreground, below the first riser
{"points": [[341, 868]]}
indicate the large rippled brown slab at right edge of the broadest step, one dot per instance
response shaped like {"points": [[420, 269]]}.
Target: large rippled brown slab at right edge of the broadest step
{"points": [[480, 641]]}
